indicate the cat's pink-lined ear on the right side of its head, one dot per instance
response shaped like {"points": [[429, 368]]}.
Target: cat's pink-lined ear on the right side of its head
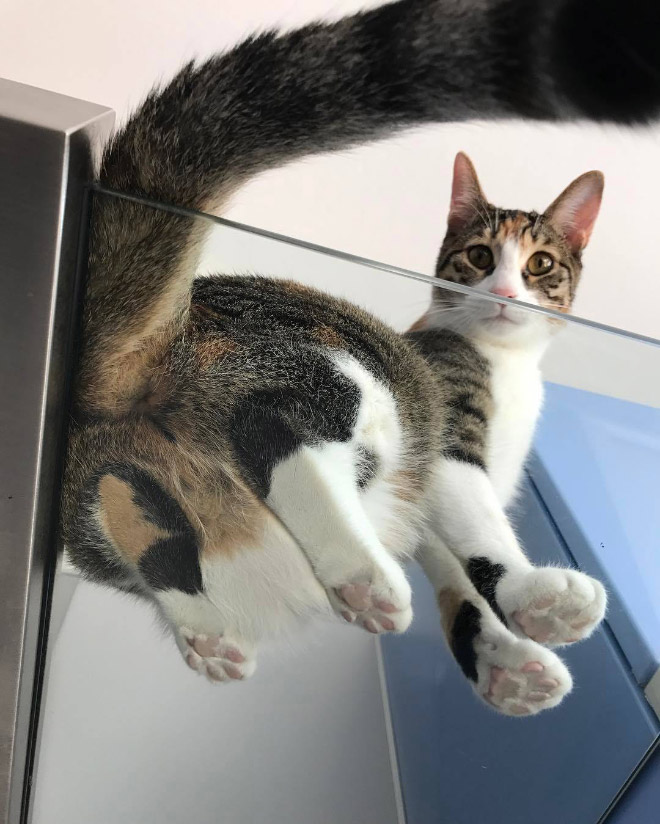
{"points": [[575, 211]]}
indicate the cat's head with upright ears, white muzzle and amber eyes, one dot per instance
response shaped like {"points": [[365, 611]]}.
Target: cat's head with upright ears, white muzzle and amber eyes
{"points": [[535, 258]]}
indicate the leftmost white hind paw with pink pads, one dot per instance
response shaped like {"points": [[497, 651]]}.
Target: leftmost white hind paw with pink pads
{"points": [[216, 656]]}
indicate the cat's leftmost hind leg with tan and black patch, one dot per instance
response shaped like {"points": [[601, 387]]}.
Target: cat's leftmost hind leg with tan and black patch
{"points": [[140, 530]]}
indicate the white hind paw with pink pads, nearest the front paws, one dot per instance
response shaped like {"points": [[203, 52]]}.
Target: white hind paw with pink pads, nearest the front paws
{"points": [[381, 605]]}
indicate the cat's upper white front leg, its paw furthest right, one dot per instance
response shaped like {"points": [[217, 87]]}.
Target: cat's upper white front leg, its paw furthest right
{"points": [[551, 605]]}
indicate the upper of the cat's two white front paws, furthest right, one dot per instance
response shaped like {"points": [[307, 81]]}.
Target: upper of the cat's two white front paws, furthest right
{"points": [[553, 606]]}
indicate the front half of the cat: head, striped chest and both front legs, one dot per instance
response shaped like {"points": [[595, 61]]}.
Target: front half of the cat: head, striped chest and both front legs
{"points": [[486, 355]]}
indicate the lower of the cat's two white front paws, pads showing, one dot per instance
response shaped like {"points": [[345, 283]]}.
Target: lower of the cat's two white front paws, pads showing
{"points": [[519, 677]]}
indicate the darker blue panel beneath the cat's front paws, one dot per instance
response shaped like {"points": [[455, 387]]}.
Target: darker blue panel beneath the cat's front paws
{"points": [[461, 763]]}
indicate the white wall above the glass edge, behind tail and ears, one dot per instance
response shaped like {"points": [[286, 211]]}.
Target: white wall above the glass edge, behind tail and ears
{"points": [[386, 202]]}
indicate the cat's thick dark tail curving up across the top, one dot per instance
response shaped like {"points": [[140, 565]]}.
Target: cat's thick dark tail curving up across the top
{"points": [[277, 97]]}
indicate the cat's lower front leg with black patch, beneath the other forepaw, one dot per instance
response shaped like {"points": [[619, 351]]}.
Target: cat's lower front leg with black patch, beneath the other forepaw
{"points": [[516, 676]]}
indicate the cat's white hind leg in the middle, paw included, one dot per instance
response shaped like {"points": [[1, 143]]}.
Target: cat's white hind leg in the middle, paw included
{"points": [[315, 493]]}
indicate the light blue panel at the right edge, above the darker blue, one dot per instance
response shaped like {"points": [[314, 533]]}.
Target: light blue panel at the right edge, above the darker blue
{"points": [[596, 465]]}
